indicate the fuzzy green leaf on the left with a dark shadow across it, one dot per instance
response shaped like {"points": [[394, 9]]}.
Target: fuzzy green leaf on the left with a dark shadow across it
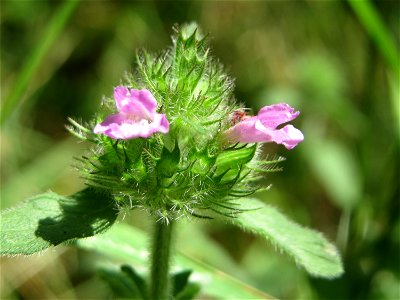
{"points": [[50, 219]]}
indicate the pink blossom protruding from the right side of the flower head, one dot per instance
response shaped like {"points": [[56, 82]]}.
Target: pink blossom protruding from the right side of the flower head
{"points": [[263, 127]]}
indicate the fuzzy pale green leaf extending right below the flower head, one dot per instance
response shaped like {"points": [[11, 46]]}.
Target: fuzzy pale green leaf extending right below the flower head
{"points": [[308, 248]]}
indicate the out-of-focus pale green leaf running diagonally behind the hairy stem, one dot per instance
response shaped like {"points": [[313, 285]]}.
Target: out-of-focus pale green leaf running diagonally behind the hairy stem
{"points": [[129, 244]]}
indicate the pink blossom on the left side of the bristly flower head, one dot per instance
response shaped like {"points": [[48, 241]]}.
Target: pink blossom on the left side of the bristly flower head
{"points": [[136, 116]]}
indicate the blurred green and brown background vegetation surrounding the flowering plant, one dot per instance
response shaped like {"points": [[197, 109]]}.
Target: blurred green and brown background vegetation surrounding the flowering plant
{"points": [[335, 61]]}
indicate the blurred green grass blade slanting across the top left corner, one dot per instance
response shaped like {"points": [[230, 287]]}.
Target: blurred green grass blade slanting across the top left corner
{"points": [[34, 60]]}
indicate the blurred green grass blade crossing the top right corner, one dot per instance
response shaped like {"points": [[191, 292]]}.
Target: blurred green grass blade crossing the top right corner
{"points": [[376, 29]]}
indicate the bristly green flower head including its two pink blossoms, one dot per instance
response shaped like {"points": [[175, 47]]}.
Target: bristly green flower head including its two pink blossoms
{"points": [[189, 171]]}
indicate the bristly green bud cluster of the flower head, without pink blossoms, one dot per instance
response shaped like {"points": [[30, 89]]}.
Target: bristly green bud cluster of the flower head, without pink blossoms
{"points": [[192, 169]]}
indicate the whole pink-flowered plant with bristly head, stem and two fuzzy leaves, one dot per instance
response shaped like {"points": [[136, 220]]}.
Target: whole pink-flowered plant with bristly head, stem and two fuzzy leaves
{"points": [[173, 141]]}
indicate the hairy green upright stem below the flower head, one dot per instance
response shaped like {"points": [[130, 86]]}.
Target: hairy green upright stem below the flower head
{"points": [[160, 261]]}
